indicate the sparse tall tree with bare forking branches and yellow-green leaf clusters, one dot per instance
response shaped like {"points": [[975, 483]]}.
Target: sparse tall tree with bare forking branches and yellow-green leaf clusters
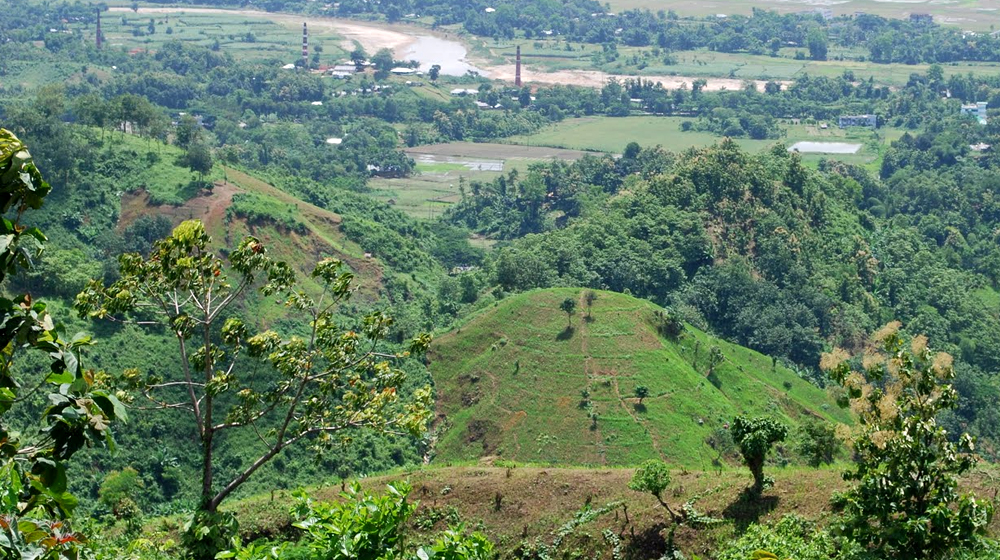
{"points": [[320, 386]]}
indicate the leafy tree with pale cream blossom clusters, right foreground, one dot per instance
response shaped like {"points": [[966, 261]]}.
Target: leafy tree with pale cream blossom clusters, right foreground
{"points": [[905, 503]]}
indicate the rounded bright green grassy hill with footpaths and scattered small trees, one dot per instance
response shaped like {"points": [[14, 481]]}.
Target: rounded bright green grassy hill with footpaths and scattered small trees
{"points": [[515, 382]]}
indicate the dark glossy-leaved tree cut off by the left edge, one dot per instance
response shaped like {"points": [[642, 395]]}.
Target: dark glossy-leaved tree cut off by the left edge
{"points": [[34, 501]]}
